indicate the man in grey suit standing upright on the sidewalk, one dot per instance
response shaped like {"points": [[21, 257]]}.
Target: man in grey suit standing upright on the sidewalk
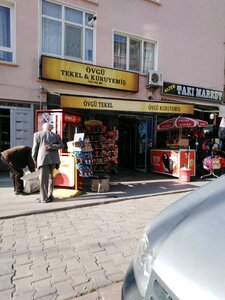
{"points": [[45, 152]]}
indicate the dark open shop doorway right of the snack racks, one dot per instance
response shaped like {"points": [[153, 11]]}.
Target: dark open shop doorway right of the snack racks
{"points": [[135, 142]]}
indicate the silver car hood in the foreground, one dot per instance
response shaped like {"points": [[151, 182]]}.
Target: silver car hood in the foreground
{"points": [[190, 254]]}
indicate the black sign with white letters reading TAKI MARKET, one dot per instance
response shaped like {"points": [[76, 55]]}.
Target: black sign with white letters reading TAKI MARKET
{"points": [[191, 91]]}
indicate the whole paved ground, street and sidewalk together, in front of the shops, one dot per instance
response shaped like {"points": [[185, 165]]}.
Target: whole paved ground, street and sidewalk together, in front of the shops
{"points": [[35, 260]]}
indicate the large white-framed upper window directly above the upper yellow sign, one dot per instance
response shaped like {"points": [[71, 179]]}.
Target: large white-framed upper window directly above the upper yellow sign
{"points": [[66, 33]]}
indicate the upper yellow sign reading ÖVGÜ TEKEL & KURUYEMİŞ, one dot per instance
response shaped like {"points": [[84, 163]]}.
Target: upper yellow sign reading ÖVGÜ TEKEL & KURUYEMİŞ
{"points": [[79, 73]]}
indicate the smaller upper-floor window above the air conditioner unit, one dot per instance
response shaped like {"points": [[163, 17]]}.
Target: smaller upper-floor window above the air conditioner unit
{"points": [[134, 54]]}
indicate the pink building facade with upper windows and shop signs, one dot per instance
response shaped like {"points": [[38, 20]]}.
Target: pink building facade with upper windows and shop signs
{"points": [[130, 63]]}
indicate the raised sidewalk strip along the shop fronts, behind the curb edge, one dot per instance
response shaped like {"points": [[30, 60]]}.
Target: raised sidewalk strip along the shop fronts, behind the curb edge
{"points": [[122, 188]]}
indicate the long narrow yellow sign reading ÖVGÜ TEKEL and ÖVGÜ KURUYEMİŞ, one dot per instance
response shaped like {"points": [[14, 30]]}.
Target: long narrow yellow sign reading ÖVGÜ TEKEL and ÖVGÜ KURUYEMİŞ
{"points": [[80, 102]]}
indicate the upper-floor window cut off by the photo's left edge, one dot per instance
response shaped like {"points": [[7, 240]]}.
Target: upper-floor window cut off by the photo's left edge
{"points": [[7, 40]]}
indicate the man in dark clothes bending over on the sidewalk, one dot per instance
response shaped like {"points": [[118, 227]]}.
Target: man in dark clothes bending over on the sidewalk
{"points": [[16, 159]]}
